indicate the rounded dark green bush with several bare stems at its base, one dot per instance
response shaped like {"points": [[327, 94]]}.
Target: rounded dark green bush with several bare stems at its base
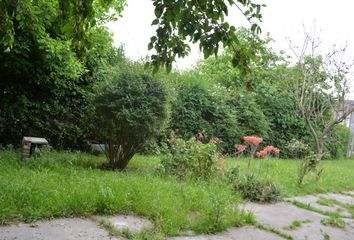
{"points": [[130, 112]]}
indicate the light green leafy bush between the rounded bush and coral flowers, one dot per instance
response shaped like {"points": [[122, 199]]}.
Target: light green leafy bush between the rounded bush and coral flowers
{"points": [[191, 158]]}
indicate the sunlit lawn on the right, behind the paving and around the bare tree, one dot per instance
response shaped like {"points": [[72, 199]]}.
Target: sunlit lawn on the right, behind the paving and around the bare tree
{"points": [[337, 175]]}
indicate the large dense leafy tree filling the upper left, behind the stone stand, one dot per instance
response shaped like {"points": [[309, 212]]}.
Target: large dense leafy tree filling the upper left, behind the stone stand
{"points": [[52, 52]]}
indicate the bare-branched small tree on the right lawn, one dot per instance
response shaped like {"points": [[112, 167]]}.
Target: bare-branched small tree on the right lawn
{"points": [[321, 88]]}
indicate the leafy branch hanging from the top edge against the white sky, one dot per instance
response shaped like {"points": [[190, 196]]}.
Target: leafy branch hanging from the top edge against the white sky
{"points": [[182, 22]]}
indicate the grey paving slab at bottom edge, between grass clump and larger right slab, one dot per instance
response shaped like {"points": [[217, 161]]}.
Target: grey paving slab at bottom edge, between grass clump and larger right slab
{"points": [[242, 233]]}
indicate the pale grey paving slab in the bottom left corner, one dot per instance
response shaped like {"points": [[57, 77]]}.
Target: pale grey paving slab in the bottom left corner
{"points": [[58, 229]]}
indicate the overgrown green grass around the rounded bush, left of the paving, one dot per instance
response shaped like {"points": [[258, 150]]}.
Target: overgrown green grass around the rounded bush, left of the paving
{"points": [[67, 184]]}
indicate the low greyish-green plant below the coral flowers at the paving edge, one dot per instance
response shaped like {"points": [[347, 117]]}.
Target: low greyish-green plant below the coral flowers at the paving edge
{"points": [[253, 188]]}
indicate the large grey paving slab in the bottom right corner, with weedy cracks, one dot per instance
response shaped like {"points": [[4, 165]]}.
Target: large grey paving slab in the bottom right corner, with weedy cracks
{"points": [[282, 214]]}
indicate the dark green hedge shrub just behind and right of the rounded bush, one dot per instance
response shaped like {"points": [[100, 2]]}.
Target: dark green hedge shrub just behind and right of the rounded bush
{"points": [[197, 108]]}
